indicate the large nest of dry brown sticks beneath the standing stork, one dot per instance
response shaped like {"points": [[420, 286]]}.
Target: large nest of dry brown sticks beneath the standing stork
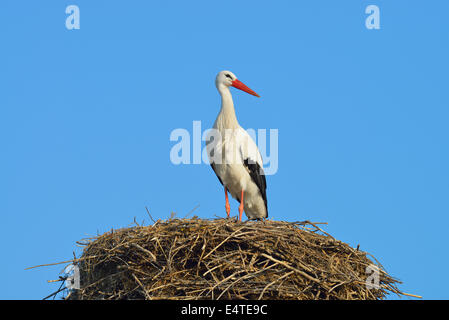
{"points": [[224, 259]]}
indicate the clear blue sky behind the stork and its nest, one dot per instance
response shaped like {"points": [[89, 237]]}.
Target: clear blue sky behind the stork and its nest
{"points": [[86, 116]]}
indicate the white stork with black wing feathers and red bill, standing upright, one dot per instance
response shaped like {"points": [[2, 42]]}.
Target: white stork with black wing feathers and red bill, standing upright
{"points": [[234, 156]]}
